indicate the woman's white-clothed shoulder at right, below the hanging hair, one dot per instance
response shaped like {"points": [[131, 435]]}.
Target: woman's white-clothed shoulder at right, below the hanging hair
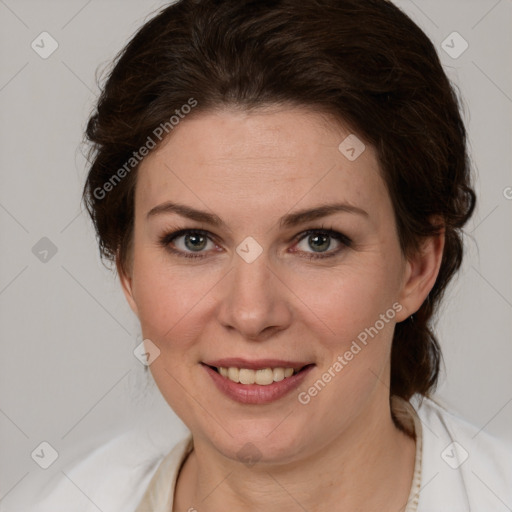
{"points": [[463, 467]]}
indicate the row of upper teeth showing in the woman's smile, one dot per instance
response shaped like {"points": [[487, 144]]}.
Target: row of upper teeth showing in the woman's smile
{"points": [[263, 376]]}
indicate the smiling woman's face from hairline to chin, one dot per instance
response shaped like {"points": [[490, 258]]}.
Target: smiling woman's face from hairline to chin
{"points": [[253, 285]]}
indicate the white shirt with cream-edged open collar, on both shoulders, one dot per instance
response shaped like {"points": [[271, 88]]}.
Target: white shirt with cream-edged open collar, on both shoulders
{"points": [[459, 468]]}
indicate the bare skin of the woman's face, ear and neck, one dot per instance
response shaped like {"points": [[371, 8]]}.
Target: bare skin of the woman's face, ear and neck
{"points": [[250, 169]]}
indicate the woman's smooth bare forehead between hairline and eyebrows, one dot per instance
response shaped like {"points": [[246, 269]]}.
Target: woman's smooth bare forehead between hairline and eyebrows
{"points": [[261, 162]]}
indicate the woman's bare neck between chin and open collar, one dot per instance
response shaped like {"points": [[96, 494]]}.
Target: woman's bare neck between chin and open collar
{"points": [[369, 467]]}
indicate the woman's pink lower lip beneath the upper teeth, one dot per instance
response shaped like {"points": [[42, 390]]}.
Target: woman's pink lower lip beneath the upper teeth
{"points": [[255, 393]]}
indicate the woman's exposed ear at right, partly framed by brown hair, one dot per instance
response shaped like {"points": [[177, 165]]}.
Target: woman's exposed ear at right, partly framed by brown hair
{"points": [[421, 271]]}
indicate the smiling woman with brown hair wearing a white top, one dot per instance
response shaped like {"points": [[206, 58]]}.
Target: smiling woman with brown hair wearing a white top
{"points": [[282, 186]]}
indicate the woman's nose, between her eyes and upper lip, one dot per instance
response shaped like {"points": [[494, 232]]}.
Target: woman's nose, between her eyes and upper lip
{"points": [[255, 301]]}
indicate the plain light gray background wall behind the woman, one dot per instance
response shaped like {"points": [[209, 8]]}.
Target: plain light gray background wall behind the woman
{"points": [[67, 372]]}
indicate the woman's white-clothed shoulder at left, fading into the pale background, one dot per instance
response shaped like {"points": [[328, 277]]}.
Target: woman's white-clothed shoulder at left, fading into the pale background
{"points": [[112, 478]]}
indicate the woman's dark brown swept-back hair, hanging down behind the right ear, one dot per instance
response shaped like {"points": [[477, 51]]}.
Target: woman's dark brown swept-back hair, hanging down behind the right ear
{"points": [[363, 61]]}
